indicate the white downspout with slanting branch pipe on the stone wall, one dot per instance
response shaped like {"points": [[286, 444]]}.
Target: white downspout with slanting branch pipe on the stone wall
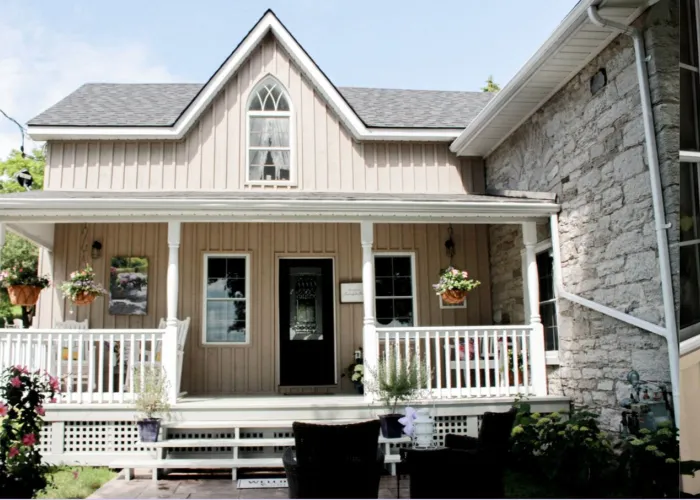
{"points": [[669, 332]]}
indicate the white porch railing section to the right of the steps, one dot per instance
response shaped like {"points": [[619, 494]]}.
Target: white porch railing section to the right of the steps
{"points": [[465, 361]]}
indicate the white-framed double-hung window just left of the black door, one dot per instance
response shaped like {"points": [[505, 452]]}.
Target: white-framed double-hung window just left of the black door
{"points": [[226, 292]]}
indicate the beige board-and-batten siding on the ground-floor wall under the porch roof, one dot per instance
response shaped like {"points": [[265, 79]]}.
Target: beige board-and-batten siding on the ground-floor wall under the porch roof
{"points": [[251, 369]]}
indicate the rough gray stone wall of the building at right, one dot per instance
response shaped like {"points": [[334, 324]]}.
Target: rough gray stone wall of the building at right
{"points": [[589, 149]]}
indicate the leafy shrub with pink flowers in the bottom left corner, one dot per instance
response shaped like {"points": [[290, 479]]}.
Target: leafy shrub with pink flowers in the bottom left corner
{"points": [[22, 474]]}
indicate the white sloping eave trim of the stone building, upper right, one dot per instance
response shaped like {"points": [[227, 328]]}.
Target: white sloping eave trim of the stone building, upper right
{"points": [[464, 144]]}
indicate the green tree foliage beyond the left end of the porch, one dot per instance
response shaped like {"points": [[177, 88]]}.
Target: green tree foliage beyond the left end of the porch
{"points": [[18, 250]]}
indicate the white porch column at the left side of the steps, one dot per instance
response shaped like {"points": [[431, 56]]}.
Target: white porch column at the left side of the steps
{"points": [[170, 341]]}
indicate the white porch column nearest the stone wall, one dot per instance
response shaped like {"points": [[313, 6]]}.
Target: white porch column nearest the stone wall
{"points": [[537, 353]]}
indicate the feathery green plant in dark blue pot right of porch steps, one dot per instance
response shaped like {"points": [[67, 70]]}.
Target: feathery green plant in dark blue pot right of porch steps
{"points": [[397, 382]]}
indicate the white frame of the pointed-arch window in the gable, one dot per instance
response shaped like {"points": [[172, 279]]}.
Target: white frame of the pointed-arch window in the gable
{"points": [[271, 114]]}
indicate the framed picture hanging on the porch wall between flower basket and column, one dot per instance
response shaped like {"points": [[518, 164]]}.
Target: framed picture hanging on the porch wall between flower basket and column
{"points": [[128, 286]]}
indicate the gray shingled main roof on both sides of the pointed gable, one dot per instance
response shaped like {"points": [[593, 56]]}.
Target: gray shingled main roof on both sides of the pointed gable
{"points": [[160, 104]]}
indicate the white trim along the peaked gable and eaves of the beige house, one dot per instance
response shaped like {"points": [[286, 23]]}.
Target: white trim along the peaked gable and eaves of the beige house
{"points": [[268, 23]]}
